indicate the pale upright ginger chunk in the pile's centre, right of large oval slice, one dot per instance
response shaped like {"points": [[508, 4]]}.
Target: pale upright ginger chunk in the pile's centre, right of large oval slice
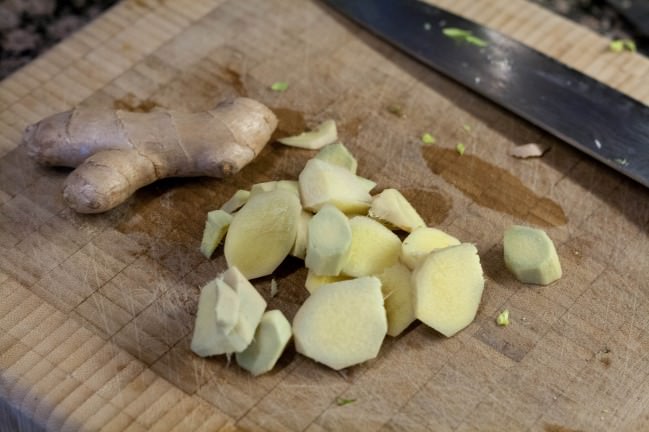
{"points": [[328, 241]]}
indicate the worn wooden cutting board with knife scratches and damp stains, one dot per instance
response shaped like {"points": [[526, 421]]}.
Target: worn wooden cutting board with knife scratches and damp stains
{"points": [[97, 311]]}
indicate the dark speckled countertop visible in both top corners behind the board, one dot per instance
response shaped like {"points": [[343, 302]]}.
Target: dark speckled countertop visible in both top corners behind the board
{"points": [[29, 27]]}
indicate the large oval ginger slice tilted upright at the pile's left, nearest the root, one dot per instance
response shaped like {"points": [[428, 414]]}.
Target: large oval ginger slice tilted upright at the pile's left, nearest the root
{"points": [[263, 232]]}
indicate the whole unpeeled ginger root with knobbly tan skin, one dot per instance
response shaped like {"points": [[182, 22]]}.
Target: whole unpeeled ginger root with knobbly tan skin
{"points": [[117, 152]]}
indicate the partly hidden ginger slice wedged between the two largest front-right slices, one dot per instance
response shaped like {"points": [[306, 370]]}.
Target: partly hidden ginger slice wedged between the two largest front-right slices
{"points": [[396, 285]]}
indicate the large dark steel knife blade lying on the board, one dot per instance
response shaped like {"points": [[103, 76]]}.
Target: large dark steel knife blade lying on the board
{"points": [[593, 117]]}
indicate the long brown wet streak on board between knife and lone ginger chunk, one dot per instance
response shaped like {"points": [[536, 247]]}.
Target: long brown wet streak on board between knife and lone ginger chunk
{"points": [[493, 187]]}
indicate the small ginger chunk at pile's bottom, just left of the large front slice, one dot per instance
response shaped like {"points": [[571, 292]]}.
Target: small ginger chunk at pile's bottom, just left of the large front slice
{"points": [[271, 337]]}
